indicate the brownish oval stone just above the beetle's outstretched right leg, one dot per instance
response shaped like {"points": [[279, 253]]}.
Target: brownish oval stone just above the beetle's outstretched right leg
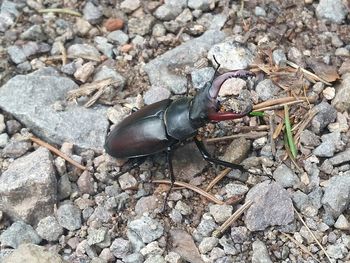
{"points": [[237, 151]]}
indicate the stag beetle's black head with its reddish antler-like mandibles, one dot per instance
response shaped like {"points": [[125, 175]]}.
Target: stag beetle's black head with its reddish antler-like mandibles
{"points": [[205, 104]]}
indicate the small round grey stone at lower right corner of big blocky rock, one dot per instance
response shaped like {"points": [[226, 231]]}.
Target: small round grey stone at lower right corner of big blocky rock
{"points": [[49, 229]]}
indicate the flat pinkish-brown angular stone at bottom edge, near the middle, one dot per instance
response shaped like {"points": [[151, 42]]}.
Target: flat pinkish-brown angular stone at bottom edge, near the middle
{"points": [[183, 244]]}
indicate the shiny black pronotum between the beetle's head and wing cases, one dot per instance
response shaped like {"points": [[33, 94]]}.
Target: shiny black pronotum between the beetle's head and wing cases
{"points": [[177, 119]]}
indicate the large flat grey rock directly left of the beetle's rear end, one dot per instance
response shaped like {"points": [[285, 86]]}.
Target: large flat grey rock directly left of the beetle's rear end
{"points": [[21, 96]]}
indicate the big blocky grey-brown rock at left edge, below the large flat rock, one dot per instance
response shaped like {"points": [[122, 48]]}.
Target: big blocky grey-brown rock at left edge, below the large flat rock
{"points": [[29, 180]]}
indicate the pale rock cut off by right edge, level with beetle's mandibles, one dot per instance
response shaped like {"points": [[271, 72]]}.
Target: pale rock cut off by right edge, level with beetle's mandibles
{"points": [[342, 98]]}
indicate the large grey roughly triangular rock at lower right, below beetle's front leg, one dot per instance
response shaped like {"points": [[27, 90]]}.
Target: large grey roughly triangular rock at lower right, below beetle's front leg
{"points": [[272, 206]]}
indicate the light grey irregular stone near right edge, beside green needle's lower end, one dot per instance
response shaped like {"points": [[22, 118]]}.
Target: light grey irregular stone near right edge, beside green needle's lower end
{"points": [[330, 143]]}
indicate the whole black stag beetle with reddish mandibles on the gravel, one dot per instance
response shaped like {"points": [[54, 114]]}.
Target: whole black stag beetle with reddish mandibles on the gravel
{"points": [[162, 125]]}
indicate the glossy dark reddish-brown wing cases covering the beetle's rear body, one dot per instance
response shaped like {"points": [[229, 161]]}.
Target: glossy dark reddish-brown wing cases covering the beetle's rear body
{"points": [[142, 133]]}
